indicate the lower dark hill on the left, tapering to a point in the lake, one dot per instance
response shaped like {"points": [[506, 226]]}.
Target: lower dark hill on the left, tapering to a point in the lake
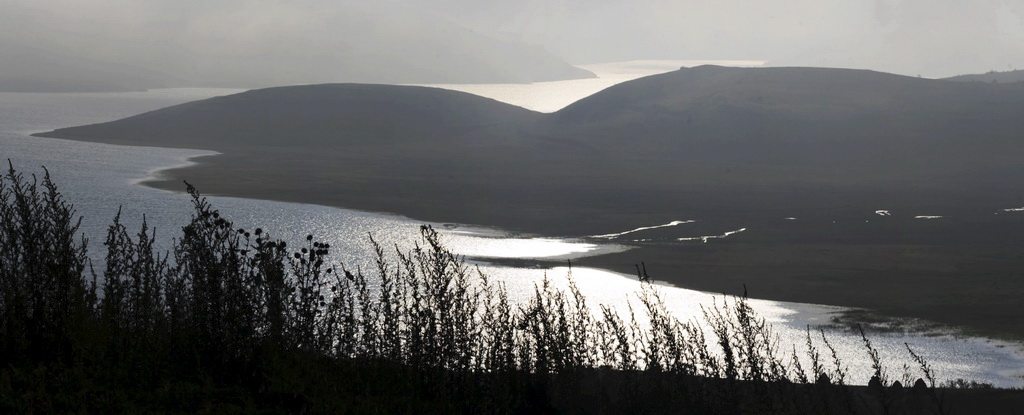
{"points": [[331, 117]]}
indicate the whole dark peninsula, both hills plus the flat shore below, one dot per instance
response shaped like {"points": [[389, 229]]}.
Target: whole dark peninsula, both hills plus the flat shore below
{"points": [[731, 148]]}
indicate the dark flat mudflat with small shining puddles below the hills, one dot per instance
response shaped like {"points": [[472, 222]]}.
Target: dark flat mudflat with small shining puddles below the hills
{"points": [[965, 270]]}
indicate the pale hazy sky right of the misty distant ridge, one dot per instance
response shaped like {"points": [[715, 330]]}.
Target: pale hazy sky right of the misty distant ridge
{"points": [[935, 38]]}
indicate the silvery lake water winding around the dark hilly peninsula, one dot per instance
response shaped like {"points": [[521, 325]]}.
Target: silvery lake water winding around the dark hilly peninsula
{"points": [[100, 179]]}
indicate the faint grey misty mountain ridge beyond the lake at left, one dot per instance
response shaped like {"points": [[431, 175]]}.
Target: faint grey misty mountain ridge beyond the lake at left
{"points": [[349, 41]]}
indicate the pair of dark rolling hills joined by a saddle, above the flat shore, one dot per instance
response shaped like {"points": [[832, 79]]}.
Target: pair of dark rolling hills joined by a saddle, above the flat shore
{"points": [[837, 137]]}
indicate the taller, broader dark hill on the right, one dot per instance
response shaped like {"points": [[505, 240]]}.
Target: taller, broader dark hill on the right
{"points": [[804, 126]]}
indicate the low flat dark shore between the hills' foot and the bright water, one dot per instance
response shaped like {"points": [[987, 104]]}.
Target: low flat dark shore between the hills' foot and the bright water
{"points": [[915, 279]]}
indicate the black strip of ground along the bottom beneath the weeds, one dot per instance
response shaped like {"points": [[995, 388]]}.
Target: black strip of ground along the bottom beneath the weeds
{"points": [[308, 385]]}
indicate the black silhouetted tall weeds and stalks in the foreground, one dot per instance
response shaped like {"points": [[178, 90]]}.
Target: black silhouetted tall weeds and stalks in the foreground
{"points": [[236, 321]]}
